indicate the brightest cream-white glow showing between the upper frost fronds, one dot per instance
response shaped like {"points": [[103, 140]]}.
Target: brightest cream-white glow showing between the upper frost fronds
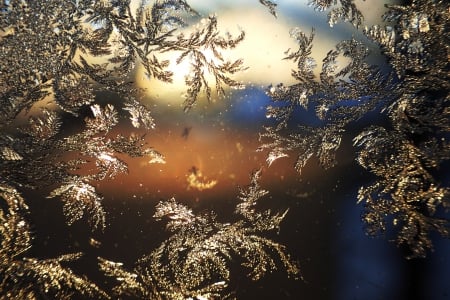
{"points": [[262, 50]]}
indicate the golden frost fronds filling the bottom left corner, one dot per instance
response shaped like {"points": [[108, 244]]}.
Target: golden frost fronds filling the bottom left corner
{"points": [[31, 278]]}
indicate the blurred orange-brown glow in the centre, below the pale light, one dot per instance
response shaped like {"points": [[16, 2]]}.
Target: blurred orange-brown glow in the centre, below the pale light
{"points": [[210, 164]]}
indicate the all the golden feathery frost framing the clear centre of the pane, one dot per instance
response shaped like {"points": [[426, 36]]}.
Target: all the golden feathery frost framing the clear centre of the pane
{"points": [[62, 72]]}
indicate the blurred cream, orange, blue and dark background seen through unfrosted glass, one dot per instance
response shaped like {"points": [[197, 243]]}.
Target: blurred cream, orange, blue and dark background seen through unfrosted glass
{"points": [[216, 143]]}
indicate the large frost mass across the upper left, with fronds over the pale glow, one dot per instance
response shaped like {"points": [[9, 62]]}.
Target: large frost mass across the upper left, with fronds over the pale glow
{"points": [[56, 62]]}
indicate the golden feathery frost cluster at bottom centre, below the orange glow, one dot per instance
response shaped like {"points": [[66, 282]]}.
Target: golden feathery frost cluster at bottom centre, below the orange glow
{"points": [[195, 262]]}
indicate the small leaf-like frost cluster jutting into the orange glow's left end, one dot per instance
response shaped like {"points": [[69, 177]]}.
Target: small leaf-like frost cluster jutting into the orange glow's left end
{"points": [[76, 192]]}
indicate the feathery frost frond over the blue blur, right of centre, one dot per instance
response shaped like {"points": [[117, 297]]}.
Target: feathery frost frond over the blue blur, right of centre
{"points": [[329, 96]]}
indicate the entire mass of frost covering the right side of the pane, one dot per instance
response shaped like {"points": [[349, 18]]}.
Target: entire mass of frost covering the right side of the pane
{"points": [[404, 155]]}
